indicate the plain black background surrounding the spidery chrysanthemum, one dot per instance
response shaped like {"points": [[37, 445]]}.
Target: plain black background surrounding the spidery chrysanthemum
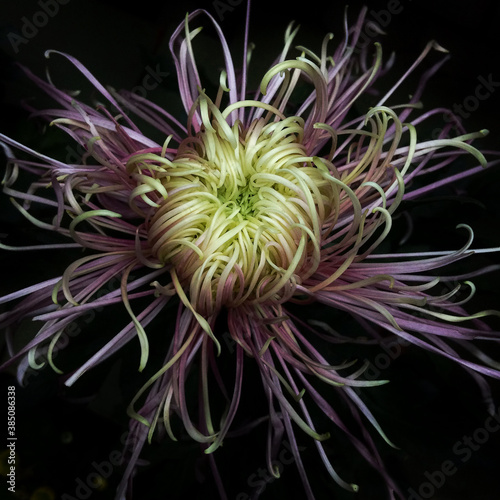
{"points": [[430, 404]]}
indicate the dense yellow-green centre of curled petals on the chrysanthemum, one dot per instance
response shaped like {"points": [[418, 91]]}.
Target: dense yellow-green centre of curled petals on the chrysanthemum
{"points": [[243, 214]]}
